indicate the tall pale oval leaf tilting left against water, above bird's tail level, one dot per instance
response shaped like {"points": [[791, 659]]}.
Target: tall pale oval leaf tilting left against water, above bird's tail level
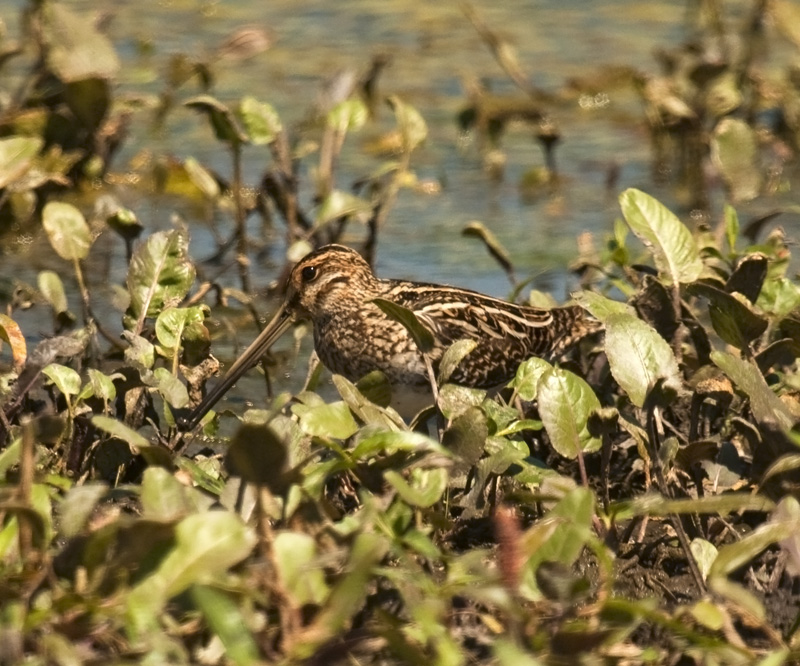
{"points": [[674, 249]]}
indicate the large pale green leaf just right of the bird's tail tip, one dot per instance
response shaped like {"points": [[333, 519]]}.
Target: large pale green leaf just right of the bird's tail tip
{"points": [[638, 356]]}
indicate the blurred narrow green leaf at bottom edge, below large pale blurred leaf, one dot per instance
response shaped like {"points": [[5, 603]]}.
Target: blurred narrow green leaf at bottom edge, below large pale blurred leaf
{"points": [[226, 621]]}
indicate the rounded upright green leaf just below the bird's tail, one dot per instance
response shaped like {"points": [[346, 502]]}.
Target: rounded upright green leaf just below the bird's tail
{"points": [[565, 403]]}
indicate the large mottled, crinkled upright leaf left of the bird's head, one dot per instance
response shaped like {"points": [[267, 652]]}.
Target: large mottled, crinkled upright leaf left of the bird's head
{"points": [[160, 273]]}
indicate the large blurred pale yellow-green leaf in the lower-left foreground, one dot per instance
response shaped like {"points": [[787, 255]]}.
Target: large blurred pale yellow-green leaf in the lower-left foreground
{"points": [[206, 545]]}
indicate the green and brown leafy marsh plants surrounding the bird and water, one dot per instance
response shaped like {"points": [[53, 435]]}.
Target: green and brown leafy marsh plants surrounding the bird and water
{"points": [[633, 503]]}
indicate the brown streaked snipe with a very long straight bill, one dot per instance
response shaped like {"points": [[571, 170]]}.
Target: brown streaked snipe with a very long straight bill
{"points": [[336, 289]]}
